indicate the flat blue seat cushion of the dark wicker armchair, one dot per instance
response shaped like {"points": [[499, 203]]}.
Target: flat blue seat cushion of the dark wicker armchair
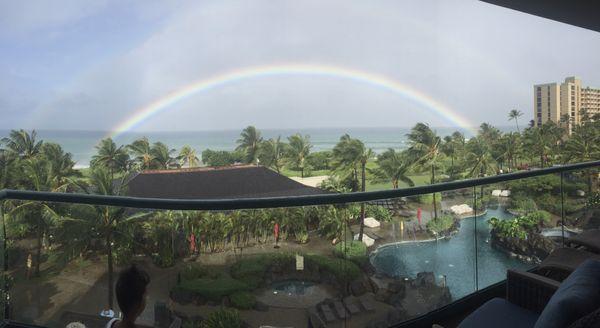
{"points": [[500, 313]]}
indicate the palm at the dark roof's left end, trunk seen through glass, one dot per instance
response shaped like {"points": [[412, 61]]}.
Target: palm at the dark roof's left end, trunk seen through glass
{"points": [[107, 221]]}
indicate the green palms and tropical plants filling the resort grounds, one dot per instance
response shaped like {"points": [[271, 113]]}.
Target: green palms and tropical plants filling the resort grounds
{"points": [[66, 233]]}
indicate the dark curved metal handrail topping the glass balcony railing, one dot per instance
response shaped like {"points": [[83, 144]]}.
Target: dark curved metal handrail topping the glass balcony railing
{"points": [[272, 202]]}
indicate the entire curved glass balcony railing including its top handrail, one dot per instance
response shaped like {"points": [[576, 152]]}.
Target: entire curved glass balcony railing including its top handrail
{"points": [[288, 261]]}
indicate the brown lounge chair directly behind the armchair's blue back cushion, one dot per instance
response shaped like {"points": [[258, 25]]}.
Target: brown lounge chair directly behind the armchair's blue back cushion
{"points": [[562, 261]]}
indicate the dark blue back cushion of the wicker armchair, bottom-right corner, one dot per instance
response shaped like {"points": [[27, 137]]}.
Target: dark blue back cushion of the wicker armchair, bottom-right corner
{"points": [[577, 296]]}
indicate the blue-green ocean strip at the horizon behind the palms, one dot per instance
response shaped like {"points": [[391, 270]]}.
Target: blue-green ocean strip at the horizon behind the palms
{"points": [[81, 143]]}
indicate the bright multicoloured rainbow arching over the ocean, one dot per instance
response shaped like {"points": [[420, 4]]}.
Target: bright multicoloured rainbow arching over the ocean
{"points": [[159, 105]]}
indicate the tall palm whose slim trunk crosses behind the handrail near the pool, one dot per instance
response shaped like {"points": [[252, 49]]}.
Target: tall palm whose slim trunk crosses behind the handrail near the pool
{"points": [[425, 150]]}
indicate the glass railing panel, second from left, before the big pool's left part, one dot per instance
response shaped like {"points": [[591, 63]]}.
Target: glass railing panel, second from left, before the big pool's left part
{"points": [[422, 259]]}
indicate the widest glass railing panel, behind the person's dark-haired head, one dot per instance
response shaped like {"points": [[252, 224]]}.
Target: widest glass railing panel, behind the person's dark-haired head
{"points": [[275, 267]]}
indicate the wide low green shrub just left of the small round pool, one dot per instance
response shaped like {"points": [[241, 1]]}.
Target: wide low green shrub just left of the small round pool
{"points": [[212, 289]]}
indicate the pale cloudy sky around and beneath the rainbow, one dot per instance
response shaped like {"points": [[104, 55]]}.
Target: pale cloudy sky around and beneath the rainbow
{"points": [[74, 64]]}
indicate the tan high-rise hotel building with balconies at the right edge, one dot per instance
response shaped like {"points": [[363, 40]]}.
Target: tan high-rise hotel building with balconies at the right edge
{"points": [[552, 101]]}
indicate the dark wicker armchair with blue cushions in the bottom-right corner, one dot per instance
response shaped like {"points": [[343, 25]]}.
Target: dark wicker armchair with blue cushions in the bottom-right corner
{"points": [[536, 301]]}
